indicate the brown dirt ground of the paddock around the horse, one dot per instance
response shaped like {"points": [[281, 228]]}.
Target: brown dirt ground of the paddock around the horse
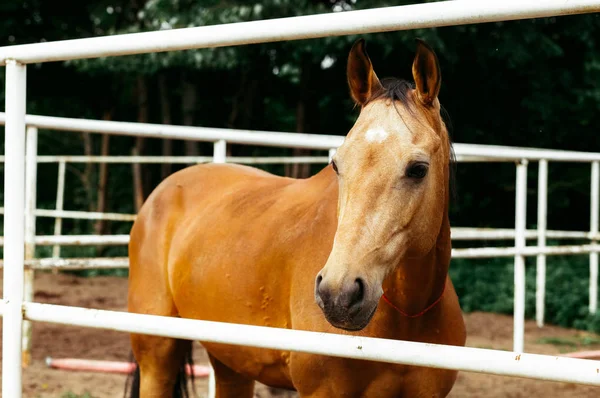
{"points": [[484, 331]]}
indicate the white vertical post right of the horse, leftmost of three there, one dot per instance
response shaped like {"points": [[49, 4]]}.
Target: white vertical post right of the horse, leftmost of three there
{"points": [[519, 280]]}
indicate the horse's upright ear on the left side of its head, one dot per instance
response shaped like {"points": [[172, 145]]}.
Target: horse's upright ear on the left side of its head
{"points": [[362, 80]]}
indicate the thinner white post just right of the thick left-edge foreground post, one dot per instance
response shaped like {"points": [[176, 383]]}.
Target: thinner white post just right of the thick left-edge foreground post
{"points": [[30, 204]]}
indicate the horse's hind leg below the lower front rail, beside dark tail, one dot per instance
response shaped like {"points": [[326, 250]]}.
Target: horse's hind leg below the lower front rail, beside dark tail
{"points": [[160, 360]]}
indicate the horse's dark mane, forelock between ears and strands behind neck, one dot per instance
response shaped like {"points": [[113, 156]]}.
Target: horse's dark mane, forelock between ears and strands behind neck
{"points": [[398, 90]]}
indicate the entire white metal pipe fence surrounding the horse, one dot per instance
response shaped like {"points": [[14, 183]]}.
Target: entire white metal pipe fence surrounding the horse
{"points": [[16, 307]]}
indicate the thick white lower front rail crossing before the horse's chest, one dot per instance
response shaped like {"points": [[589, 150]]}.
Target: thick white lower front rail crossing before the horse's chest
{"points": [[505, 363]]}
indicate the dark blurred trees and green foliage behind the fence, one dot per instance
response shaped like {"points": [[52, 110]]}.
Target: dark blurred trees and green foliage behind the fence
{"points": [[532, 83]]}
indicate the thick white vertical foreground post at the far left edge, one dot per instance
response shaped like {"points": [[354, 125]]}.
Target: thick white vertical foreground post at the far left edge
{"points": [[14, 227]]}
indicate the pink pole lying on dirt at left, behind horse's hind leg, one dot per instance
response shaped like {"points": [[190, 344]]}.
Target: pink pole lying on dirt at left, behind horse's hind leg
{"points": [[90, 365]]}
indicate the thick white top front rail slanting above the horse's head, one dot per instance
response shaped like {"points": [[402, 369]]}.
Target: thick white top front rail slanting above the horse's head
{"points": [[416, 16]]}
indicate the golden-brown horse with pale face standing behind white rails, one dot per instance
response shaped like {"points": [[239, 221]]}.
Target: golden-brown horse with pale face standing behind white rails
{"points": [[361, 248]]}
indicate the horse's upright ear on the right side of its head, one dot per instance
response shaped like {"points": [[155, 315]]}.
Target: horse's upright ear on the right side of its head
{"points": [[426, 72]]}
